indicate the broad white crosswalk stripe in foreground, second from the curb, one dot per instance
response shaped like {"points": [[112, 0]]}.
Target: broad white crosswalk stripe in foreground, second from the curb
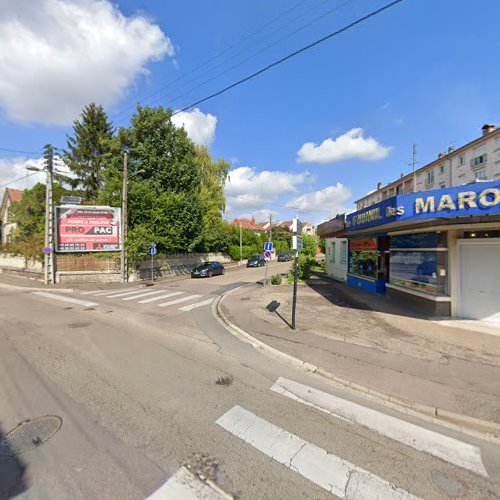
{"points": [[332, 473]]}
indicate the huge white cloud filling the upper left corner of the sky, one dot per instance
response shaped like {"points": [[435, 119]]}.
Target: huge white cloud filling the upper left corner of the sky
{"points": [[58, 55]]}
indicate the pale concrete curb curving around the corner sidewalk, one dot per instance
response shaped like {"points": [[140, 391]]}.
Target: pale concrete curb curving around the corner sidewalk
{"points": [[482, 429]]}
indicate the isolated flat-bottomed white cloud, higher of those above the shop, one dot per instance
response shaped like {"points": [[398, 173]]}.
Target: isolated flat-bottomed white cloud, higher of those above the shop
{"points": [[347, 146]]}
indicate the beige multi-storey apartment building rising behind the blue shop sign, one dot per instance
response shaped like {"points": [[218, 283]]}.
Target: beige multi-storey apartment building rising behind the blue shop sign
{"points": [[478, 160]]}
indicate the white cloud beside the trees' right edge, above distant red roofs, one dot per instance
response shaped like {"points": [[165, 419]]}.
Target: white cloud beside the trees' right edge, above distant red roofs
{"points": [[247, 189]]}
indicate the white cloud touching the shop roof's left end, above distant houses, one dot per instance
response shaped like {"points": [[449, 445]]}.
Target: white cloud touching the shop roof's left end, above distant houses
{"points": [[332, 199]]}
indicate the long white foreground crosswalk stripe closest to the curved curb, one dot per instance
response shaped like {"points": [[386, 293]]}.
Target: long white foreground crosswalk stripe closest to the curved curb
{"points": [[449, 449]]}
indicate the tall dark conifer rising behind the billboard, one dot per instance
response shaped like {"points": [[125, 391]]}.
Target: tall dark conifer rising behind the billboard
{"points": [[87, 149]]}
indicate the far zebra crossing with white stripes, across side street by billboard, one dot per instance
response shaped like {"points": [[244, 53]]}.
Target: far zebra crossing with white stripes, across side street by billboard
{"points": [[139, 296]]}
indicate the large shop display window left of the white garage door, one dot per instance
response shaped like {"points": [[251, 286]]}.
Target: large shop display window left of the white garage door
{"points": [[420, 261]]}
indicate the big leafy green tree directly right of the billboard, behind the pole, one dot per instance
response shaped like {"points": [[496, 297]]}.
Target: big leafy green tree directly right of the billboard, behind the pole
{"points": [[164, 203]]}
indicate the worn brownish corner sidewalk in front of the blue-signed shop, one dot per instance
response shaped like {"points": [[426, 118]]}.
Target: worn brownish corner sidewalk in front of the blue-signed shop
{"points": [[371, 342]]}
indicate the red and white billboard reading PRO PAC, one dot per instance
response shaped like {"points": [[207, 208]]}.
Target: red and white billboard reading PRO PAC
{"points": [[87, 229]]}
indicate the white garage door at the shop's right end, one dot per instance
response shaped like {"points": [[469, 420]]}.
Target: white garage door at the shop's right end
{"points": [[480, 279]]}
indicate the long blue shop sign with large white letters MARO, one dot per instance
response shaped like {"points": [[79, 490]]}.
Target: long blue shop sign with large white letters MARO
{"points": [[463, 201]]}
